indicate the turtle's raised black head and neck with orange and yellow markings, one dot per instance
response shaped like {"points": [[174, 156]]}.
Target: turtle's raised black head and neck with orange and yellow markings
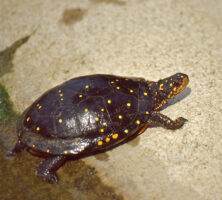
{"points": [[168, 88]]}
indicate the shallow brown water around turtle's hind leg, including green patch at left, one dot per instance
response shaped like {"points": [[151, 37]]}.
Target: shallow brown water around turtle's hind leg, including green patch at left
{"points": [[18, 180]]}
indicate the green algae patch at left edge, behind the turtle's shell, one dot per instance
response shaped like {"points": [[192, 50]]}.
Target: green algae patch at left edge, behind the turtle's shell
{"points": [[6, 106]]}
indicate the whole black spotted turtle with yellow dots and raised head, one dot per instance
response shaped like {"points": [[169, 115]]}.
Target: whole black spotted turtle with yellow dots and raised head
{"points": [[92, 113]]}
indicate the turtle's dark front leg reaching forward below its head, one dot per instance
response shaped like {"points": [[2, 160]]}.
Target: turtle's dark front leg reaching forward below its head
{"points": [[159, 119]]}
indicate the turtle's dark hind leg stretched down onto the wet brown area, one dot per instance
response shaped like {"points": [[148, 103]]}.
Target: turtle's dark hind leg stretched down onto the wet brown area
{"points": [[46, 170]]}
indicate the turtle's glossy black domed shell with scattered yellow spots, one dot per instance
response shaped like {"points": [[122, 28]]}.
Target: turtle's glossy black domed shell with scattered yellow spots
{"points": [[86, 114]]}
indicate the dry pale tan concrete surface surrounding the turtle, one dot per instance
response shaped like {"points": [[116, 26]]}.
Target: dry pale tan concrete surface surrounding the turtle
{"points": [[152, 39]]}
